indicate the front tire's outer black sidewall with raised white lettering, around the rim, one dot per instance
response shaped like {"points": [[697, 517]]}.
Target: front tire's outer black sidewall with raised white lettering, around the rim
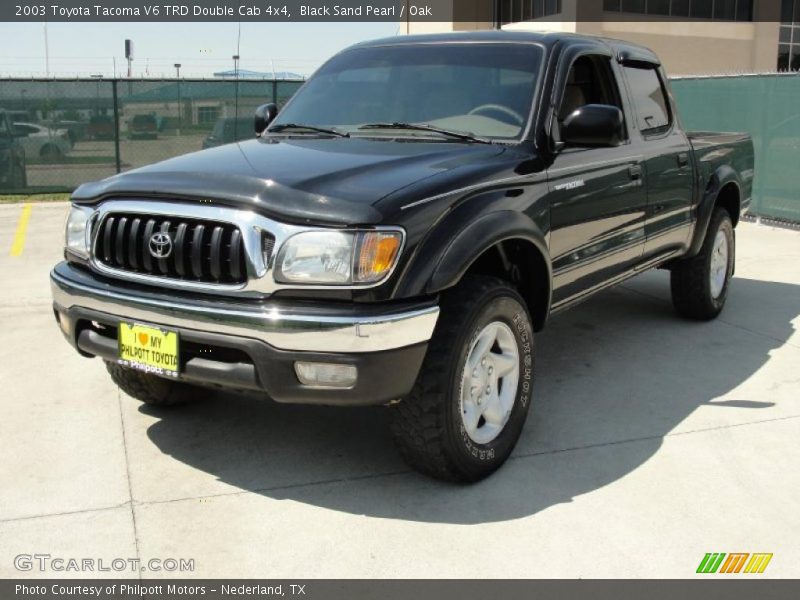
{"points": [[504, 305]]}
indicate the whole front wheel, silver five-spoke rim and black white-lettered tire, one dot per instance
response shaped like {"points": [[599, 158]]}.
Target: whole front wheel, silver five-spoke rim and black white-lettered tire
{"points": [[469, 404]]}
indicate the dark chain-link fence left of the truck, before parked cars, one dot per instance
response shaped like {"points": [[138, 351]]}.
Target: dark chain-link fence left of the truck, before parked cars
{"points": [[57, 134]]}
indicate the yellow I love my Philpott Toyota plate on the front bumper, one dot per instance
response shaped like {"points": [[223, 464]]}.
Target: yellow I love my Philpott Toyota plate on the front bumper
{"points": [[148, 349]]}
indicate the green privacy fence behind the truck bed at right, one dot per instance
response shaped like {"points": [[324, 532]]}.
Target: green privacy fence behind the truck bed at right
{"points": [[768, 108]]}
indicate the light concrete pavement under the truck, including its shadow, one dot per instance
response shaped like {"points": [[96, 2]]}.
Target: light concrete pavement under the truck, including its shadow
{"points": [[652, 440]]}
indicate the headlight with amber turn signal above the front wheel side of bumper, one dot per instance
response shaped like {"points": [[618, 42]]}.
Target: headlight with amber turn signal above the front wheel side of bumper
{"points": [[338, 257]]}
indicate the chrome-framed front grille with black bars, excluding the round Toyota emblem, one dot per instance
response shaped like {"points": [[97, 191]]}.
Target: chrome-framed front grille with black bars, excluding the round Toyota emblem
{"points": [[233, 253]]}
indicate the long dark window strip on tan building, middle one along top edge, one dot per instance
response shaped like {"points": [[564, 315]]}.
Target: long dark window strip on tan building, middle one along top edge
{"points": [[717, 10]]}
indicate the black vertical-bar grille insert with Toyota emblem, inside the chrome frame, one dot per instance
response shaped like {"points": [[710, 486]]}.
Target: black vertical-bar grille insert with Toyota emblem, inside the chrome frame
{"points": [[191, 249]]}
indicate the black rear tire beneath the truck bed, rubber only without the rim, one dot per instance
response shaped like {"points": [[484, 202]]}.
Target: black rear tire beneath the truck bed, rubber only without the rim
{"points": [[690, 278]]}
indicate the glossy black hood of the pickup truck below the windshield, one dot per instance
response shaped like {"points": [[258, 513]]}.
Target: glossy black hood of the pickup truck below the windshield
{"points": [[320, 180]]}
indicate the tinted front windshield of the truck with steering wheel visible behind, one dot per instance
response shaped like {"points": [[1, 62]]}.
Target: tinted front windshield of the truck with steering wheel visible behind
{"points": [[482, 89]]}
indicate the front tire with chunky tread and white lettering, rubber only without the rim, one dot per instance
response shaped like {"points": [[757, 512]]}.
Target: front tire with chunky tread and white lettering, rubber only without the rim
{"points": [[427, 425]]}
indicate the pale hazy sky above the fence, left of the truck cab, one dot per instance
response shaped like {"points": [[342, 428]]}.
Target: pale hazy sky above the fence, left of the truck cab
{"points": [[202, 48]]}
